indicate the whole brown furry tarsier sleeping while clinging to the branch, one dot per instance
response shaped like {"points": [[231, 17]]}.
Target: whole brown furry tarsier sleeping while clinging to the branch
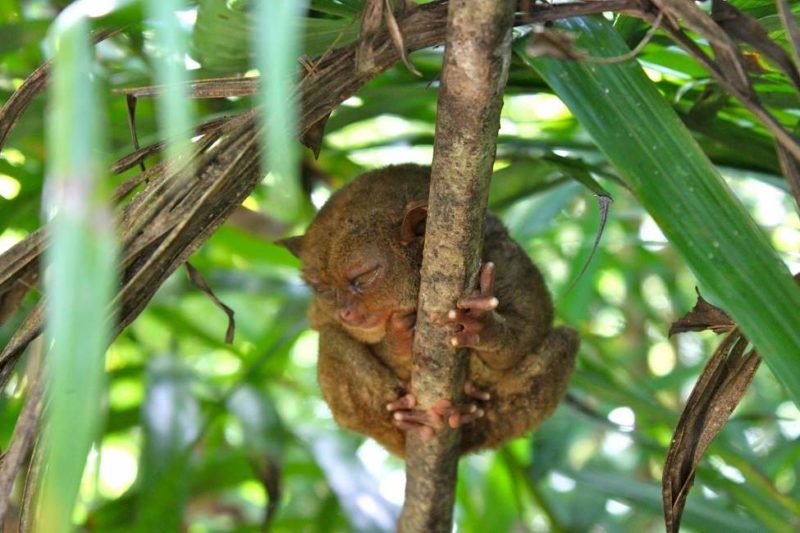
{"points": [[362, 256]]}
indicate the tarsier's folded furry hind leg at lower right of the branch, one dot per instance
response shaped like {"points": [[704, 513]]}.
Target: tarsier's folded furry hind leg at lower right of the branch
{"points": [[527, 394]]}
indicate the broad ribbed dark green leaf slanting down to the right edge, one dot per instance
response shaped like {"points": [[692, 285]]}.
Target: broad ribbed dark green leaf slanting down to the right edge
{"points": [[677, 184]]}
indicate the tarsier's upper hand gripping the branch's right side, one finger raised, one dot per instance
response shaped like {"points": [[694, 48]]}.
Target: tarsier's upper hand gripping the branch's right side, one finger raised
{"points": [[474, 314]]}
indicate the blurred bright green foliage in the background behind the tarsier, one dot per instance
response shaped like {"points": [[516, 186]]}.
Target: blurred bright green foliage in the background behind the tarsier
{"points": [[205, 434]]}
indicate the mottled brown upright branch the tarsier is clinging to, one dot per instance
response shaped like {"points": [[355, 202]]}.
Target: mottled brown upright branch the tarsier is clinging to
{"points": [[474, 74]]}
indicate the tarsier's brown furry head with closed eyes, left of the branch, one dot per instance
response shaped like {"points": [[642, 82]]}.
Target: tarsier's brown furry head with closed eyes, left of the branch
{"points": [[362, 253]]}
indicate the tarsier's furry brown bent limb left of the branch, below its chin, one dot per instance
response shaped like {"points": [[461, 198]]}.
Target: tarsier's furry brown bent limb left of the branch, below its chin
{"points": [[357, 387]]}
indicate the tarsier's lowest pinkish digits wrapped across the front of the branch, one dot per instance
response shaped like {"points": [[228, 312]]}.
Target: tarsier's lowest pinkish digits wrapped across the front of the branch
{"points": [[407, 417]]}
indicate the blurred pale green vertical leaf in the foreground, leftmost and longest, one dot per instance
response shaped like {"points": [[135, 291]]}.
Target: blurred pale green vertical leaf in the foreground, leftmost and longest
{"points": [[79, 274]]}
